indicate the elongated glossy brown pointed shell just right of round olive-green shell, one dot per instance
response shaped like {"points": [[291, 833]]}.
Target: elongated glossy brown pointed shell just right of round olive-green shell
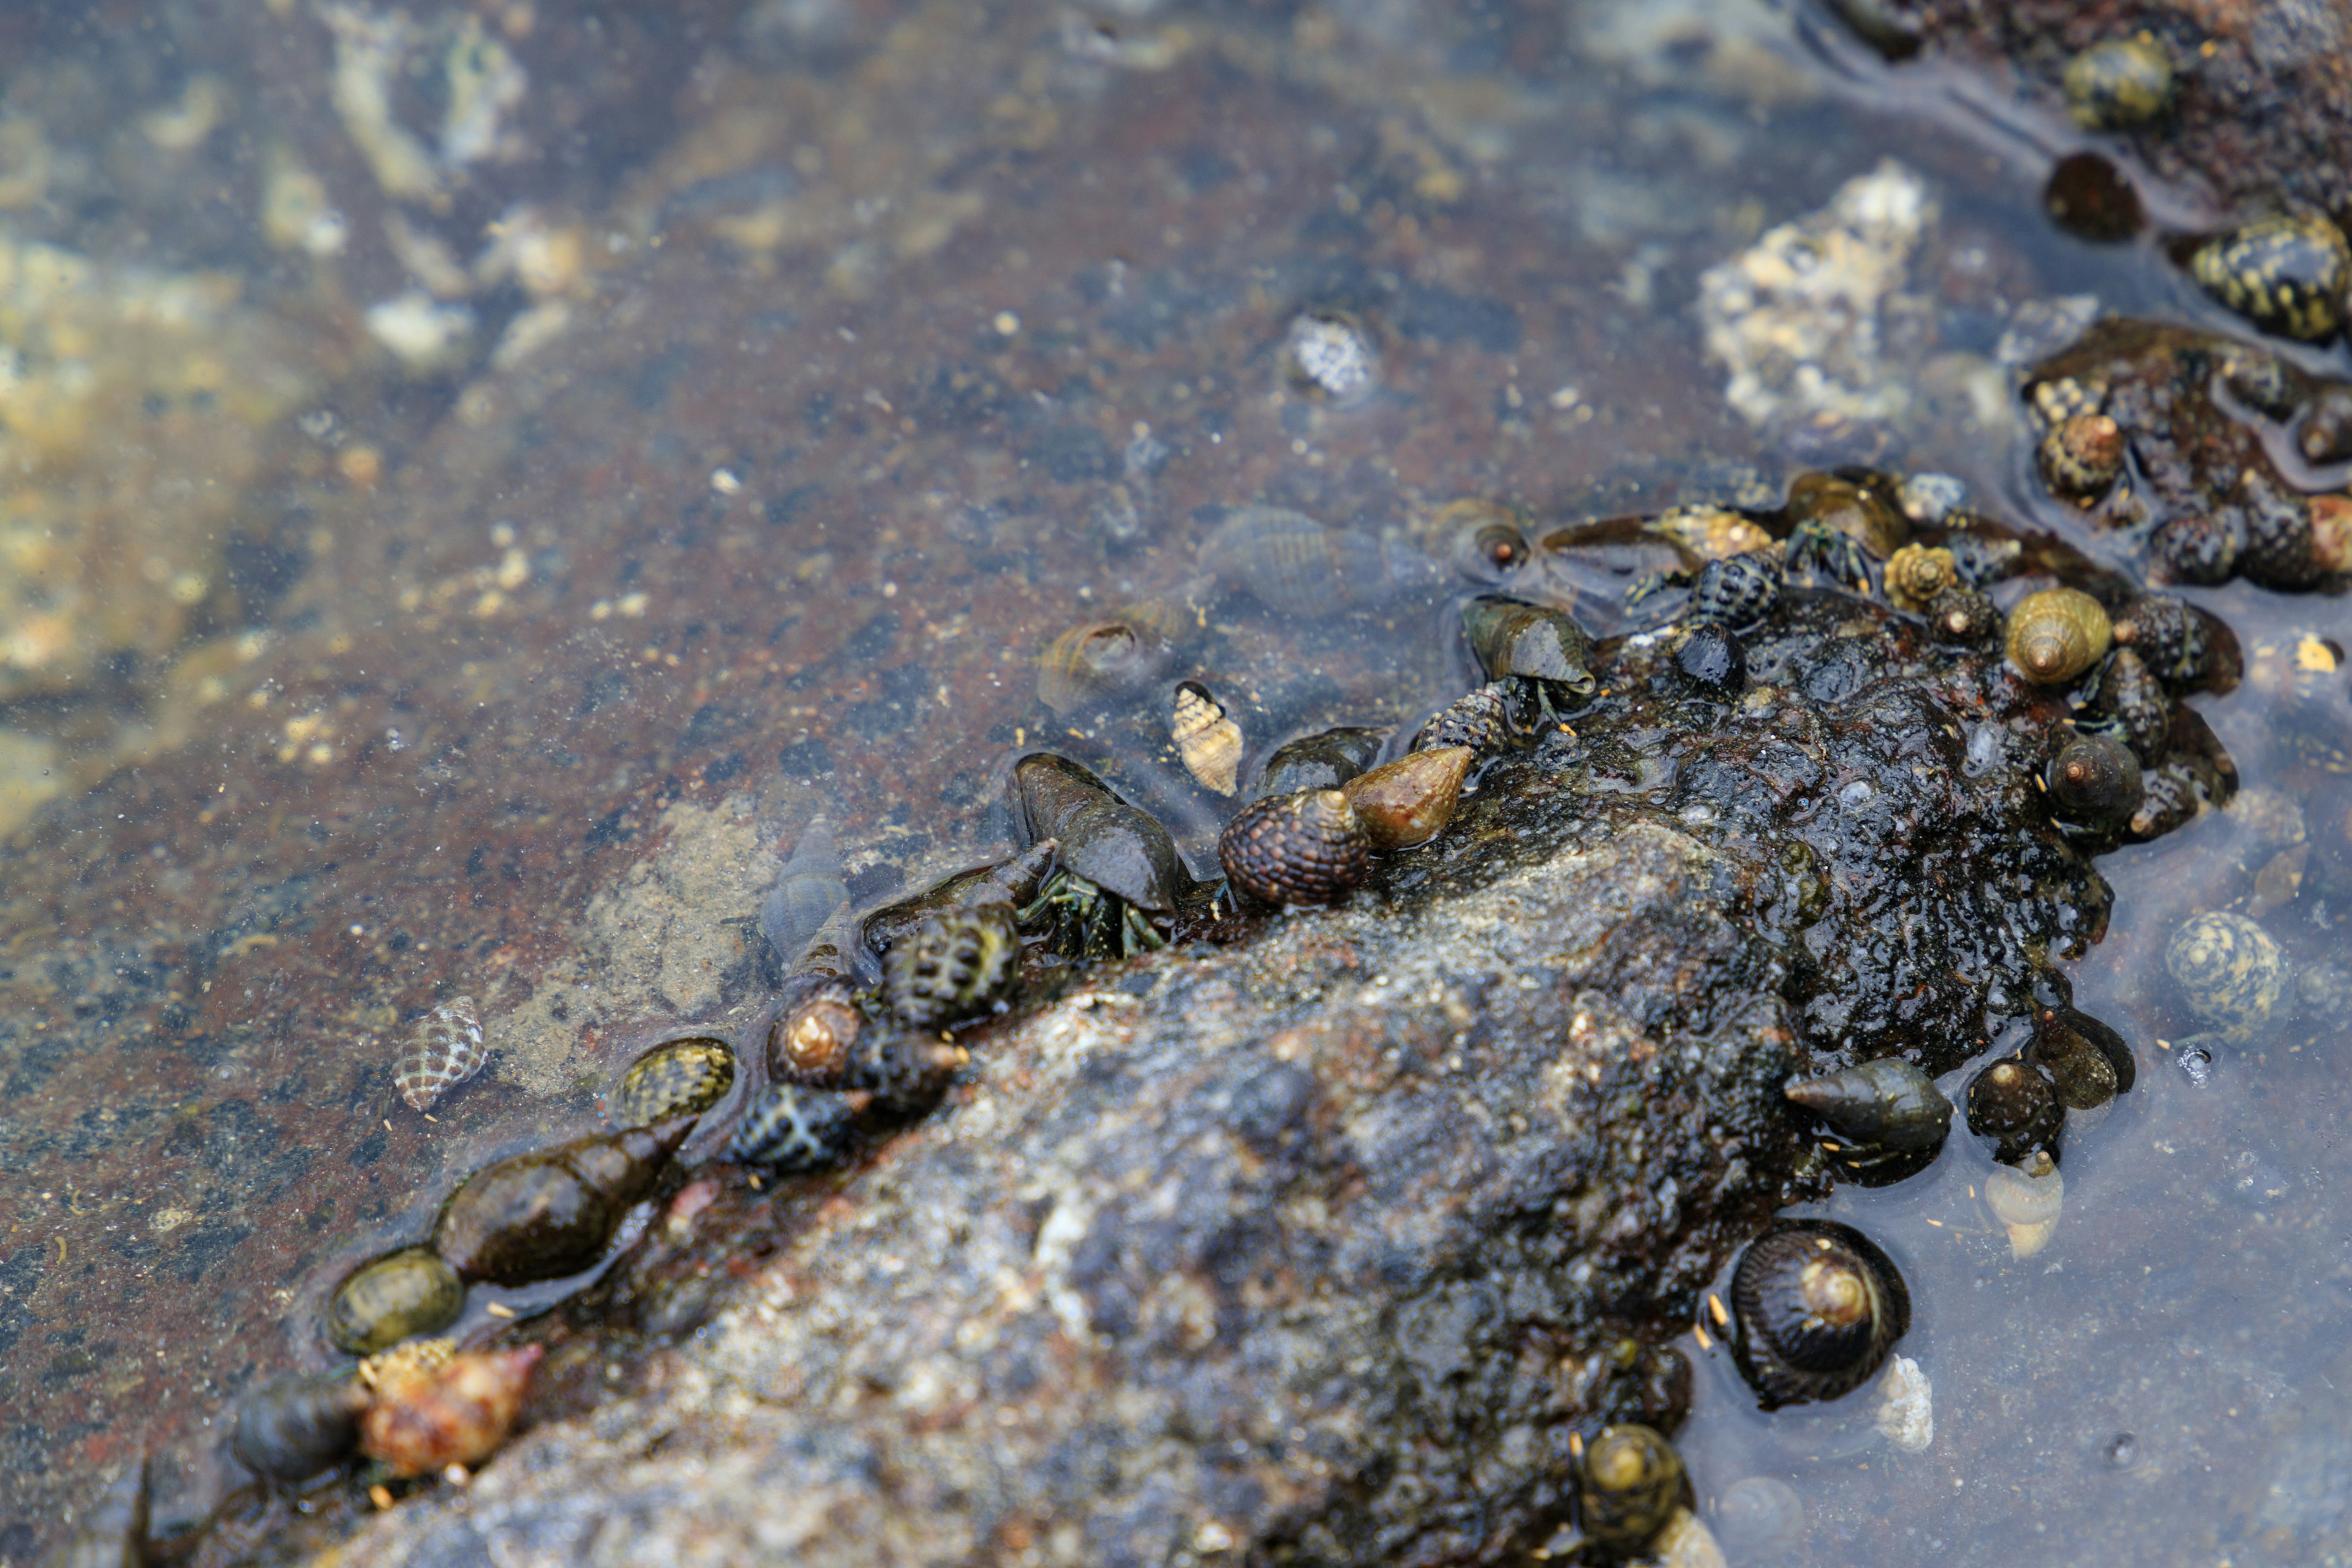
{"points": [[552, 1212]]}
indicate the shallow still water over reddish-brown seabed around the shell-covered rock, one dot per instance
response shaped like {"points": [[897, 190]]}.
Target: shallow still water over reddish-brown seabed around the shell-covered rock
{"points": [[883, 347]]}
